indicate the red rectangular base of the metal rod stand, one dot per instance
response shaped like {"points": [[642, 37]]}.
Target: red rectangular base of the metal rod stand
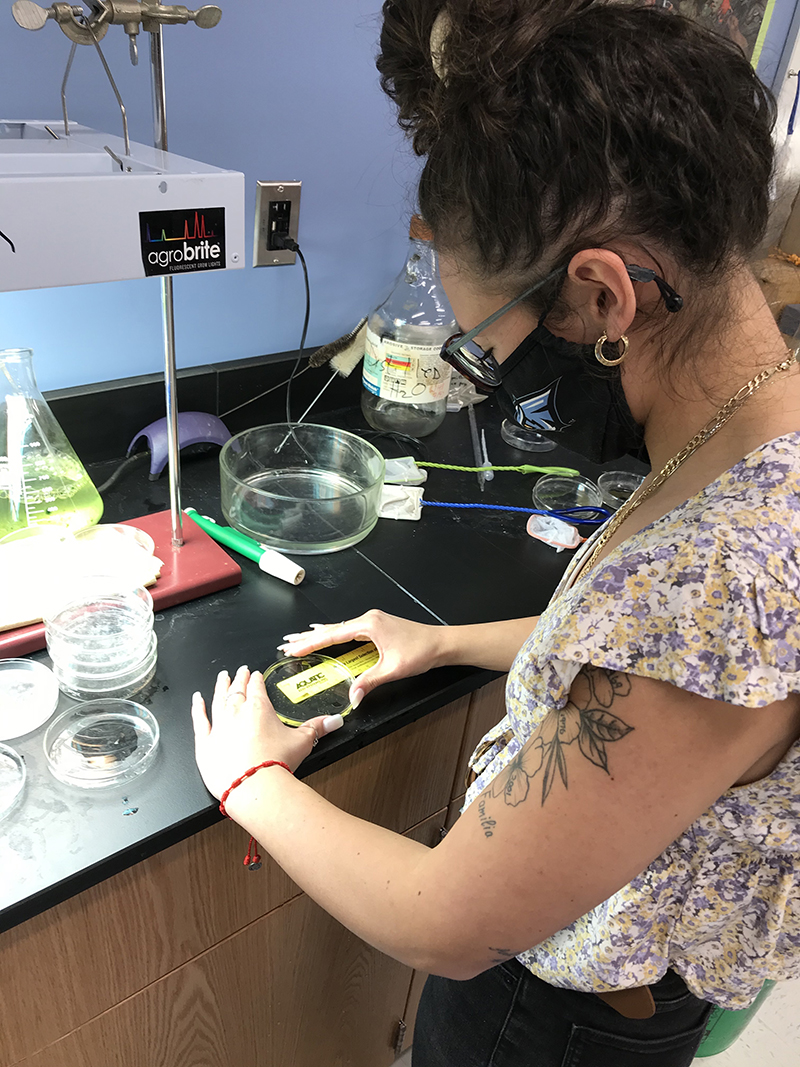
{"points": [[200, 567]]}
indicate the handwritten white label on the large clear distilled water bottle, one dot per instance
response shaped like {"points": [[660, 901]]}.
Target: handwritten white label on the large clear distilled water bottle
{"points": [[405, 373]]}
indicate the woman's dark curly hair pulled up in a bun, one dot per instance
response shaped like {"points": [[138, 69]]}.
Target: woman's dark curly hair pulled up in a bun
{"points": [[563, 124]]}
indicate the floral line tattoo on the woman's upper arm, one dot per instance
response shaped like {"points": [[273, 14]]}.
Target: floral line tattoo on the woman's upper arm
{"points": [[587, 720]]}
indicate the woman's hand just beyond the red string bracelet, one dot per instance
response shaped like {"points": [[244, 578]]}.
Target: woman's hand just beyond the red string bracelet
{"points": [[247, 731]]}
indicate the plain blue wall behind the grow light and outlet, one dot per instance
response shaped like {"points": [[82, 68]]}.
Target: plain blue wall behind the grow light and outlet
{"points": [[280, 91]]}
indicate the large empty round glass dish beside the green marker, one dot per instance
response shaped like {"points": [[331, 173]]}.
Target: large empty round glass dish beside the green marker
{"points": [[302, 489]]}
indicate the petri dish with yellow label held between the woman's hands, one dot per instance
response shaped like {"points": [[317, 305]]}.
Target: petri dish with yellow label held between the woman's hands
{"points": [[303, 688]]}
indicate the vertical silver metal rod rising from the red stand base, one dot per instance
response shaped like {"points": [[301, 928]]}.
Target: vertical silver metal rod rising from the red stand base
{"points": [[159, 122]]}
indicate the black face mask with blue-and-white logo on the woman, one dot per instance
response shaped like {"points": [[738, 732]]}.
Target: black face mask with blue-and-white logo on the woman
{"points": [[558, 389]]}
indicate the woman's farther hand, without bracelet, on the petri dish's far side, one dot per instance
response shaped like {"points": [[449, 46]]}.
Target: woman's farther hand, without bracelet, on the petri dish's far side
{"points": [[406, 648]]}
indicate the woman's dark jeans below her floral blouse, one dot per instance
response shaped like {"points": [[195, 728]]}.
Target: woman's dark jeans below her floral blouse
{"points": [[507, 1017]]}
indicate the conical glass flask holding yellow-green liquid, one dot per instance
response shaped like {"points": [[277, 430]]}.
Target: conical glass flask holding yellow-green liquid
{"points": [[42, 481]]}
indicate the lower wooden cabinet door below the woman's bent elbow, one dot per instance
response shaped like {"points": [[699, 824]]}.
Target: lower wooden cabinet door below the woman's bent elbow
{"points": [[293, 990]]}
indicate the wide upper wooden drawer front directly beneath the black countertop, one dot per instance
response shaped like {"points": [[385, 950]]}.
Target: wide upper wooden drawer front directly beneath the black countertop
{"points": [[92, 952]]}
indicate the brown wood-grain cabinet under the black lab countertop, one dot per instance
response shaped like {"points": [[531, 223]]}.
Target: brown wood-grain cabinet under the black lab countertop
{"points": [[188, 961]]}
